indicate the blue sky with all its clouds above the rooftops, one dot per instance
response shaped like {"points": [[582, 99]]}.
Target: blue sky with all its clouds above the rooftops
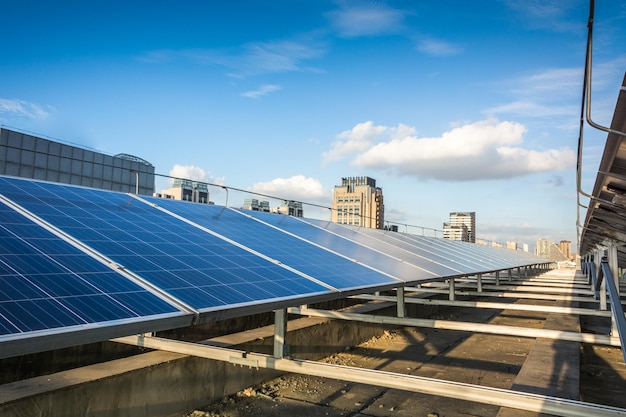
{"points": [[449, 105]]}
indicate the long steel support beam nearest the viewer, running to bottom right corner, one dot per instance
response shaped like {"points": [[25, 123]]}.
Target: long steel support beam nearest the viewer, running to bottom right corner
{"points": [[462, 391]]}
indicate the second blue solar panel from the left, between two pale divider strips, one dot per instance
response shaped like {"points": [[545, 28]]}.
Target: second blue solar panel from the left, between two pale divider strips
{"points": [[206, 272]]}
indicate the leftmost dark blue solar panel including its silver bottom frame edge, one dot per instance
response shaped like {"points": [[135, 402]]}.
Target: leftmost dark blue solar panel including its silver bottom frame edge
{"points": [[44, 293]]}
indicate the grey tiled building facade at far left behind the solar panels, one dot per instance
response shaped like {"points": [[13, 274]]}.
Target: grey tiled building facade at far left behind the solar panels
{"points": [[27, 156]]}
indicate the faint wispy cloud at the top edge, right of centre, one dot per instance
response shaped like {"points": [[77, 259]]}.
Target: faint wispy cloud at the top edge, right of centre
{"points": [[366, 20]]}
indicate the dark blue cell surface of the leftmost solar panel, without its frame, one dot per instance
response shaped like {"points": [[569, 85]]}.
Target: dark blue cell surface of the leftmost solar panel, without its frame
{"points": [[46, 283]]}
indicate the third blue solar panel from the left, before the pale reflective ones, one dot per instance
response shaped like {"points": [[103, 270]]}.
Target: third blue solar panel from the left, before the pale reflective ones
{"points": [[330, 267]]}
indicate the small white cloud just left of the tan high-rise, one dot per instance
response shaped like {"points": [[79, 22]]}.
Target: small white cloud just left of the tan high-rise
{"points": [[298, 188]]}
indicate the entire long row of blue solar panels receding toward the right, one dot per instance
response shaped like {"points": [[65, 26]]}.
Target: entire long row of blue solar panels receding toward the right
{"points": [[82, 260]]}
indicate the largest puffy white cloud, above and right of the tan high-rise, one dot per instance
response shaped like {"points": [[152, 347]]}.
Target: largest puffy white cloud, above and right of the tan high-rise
{"points": [[486, 149]]}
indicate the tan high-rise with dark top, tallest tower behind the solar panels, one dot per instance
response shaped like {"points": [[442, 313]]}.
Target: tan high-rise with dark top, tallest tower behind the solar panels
{"points": [[357, 201]]}
